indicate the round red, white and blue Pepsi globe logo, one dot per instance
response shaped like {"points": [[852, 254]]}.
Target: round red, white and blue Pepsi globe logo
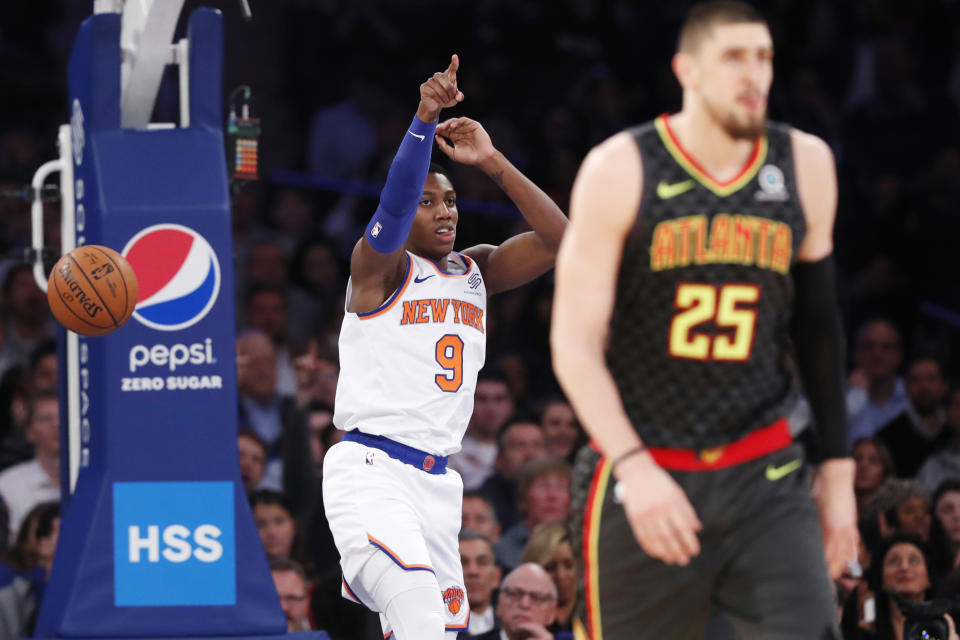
{"points": [[178, 273]]}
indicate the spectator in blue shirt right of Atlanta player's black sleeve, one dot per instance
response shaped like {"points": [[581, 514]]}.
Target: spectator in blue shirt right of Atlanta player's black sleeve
{"points": [[876, 395]]}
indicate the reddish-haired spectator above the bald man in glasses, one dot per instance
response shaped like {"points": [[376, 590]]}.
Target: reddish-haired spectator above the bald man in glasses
{"points": [[544, 496]]}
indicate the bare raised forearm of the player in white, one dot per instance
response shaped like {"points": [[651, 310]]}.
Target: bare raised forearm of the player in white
{"points": [[538, 209]]}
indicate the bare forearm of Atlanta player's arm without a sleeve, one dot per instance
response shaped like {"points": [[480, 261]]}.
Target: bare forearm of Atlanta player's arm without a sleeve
{"points": [[583, 374]]}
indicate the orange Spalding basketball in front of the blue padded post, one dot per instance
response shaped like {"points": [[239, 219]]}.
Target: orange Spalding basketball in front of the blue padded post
{"points": [[92, 290]]}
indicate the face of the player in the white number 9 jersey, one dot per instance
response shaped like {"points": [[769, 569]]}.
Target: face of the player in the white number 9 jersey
{"points": [[435, 227]]}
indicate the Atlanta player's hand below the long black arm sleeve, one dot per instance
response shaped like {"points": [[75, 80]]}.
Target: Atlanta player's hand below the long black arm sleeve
{"points": [[833, 492]]}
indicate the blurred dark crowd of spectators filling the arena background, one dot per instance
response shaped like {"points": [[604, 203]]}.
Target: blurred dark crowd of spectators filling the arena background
{"points": [[335, 84]]}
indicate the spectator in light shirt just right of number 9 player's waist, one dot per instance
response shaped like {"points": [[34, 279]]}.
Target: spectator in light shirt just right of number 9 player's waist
{"points": [[492, 407]]}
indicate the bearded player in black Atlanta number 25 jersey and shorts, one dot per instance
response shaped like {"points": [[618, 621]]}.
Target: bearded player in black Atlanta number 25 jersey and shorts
{"points": [[699, 247]]}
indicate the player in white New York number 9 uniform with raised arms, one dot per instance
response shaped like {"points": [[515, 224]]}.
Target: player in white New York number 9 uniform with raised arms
{"points": [[412, 342]]}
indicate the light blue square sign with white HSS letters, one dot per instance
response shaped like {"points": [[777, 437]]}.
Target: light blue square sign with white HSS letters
{"points": [[173, 544]]}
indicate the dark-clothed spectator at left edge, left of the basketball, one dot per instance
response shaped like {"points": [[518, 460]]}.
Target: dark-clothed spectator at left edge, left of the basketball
{"points": [[27, 320]]}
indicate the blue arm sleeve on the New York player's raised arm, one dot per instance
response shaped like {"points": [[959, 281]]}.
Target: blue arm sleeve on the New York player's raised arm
{"points": [[401, 194]]}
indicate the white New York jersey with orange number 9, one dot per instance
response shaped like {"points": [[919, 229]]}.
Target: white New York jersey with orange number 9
{"points": [[408, 369]]}
